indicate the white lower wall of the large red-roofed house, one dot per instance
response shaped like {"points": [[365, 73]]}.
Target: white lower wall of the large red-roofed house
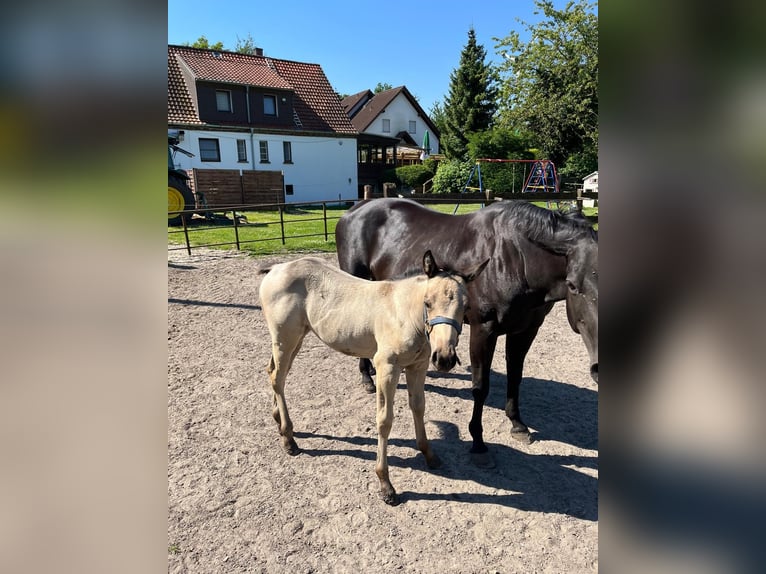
{"points": [[323, 168]]}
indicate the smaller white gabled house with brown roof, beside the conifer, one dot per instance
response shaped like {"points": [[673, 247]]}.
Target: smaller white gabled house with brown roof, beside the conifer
{"points": [[392, 128]]}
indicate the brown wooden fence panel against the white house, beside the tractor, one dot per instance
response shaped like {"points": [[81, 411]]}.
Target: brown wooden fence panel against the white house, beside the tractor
{"points": [[225, 188]]}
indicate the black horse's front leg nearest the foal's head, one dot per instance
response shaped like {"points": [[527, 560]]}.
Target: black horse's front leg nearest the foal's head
{"points": [[482, 346]]}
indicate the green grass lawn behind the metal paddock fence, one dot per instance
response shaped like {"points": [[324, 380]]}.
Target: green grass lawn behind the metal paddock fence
{"points": [[304, 229]]}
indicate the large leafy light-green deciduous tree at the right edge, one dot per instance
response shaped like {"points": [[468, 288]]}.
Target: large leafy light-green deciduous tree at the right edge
{"points": [[550, 86]]}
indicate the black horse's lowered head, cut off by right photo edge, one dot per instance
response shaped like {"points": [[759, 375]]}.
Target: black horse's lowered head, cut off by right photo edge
{"points": [[582, 297]]}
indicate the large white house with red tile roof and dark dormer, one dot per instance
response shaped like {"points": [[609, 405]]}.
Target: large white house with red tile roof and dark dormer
{"points": [[241, 113]]}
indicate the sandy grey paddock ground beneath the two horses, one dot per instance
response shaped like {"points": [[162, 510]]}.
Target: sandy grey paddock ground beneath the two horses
{"points": [[238, 503]]}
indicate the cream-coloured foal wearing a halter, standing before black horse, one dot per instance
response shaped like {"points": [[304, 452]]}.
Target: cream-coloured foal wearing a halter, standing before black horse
{"points": [[398, 324]]}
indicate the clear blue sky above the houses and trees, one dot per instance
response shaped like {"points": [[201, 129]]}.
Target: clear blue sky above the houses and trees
{"points": [[358, 44]]}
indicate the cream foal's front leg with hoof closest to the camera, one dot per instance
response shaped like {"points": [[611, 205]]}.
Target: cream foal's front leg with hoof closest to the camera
{"points": [[388, 377]]}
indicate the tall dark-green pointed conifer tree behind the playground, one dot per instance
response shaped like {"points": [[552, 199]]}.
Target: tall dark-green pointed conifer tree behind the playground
{"points": [[471, 103]]}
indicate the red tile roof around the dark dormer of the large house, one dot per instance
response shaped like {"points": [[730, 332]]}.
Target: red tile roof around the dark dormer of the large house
{"points": [[315, 102]]}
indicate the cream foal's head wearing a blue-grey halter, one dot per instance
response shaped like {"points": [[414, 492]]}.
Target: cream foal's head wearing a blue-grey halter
{"points": [[445, 303]]}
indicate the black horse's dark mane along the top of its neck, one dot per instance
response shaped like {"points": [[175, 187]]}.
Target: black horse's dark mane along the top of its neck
{"points": [[547, 226]]}
